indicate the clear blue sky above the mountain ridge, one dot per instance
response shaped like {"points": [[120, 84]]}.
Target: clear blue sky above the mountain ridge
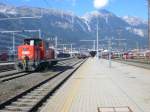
{"points": [[80, 7]]}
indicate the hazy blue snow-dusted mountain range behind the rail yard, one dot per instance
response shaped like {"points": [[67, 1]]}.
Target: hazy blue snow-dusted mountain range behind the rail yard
{"points": [[70, 27]]}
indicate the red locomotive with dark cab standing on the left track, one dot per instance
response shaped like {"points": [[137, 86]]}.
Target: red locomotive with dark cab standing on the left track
{"points": [[35, 54]]}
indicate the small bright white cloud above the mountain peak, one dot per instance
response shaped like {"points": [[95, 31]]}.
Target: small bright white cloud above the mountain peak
{"points": [[100, 3]]}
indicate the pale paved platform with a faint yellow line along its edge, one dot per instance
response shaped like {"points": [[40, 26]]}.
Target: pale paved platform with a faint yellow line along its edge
{"points": [[97, 88]]}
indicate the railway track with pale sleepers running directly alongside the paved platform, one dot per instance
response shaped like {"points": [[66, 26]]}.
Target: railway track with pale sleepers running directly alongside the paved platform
{"points": [[31, 99]]}
